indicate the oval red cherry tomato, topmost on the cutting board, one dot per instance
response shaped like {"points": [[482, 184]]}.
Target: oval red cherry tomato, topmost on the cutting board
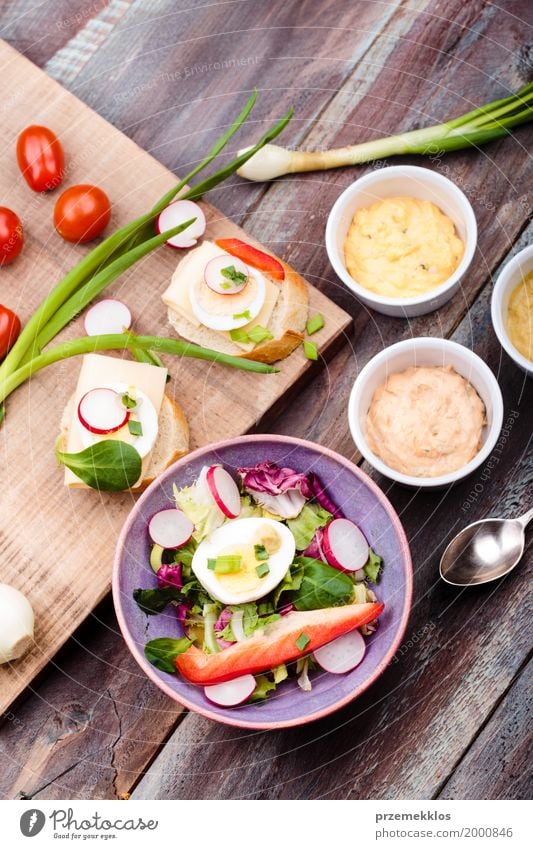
{"points": [[40, 158]]}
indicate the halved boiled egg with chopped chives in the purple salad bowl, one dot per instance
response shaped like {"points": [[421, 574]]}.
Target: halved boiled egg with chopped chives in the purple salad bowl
{"points": [[244, 559]]}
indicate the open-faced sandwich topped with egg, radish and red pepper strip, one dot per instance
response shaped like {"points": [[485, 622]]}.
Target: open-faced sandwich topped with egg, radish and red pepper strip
{"points": [[234, 298]]}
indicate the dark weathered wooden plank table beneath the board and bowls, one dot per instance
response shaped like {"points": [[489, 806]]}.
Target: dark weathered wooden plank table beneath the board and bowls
{"points": [[448, 719]]}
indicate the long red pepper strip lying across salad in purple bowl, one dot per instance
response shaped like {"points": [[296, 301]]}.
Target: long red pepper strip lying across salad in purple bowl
{"points": [[278, 645]]}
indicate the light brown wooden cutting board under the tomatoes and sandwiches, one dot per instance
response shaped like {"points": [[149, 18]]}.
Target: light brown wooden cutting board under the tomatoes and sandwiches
{"points": [[57, 545]]}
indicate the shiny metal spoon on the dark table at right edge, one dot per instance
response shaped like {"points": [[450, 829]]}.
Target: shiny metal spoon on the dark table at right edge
{"points": [[484, 551]]}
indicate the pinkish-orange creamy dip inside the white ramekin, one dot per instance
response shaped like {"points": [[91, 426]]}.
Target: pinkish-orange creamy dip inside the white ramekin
{"points": [[425, 421]]}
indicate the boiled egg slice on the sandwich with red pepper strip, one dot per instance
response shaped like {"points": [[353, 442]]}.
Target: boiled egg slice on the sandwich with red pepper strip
{"points": [[228, 312]]}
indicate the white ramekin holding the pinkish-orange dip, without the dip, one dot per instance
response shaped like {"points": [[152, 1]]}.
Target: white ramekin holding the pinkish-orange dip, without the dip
{"points": [[426, 351]]}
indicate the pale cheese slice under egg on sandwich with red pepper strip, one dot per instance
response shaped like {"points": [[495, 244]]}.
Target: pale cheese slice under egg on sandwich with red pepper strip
{"points": [[191, 269]]}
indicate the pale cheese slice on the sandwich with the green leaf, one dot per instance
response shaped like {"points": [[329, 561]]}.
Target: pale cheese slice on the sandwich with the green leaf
{"points": [[98, 370]]}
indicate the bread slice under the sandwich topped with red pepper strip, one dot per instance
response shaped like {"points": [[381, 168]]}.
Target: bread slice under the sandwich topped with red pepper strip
{"points": [[287, 324]]}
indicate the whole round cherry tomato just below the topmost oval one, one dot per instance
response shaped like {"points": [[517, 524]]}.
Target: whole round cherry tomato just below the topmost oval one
{"points": [[81, 213]]}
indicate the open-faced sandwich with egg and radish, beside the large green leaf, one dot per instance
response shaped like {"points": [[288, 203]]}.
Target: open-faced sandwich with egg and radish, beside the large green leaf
{"points": [[123, 400]]}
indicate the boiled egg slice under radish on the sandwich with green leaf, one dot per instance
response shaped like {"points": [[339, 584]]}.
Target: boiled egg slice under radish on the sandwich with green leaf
{"points": [[141, 428]]}
